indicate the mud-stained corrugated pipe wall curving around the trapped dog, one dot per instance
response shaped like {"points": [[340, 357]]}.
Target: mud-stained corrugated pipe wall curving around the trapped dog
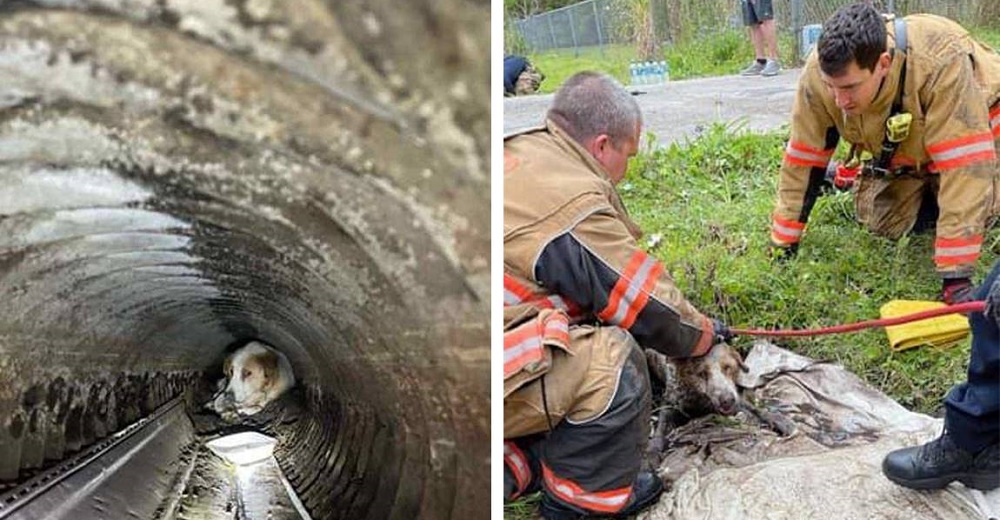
{"points": [[176, 177]]}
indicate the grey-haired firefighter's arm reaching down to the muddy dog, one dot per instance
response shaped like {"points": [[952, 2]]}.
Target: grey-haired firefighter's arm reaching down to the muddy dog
{"points": [[598, 265]]}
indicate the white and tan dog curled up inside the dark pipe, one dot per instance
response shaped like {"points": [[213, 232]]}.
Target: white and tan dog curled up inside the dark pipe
{"points": [[255, 375]]}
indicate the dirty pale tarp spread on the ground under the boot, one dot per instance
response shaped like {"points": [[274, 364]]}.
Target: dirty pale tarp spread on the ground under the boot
{"points": [[829, 468]]}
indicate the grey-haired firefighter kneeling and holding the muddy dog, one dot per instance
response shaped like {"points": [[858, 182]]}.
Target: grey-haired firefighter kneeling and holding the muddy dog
{"points": [[581, 299]]}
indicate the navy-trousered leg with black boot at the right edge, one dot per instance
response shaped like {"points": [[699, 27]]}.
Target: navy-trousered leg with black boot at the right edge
{"points": [[968, 449]]}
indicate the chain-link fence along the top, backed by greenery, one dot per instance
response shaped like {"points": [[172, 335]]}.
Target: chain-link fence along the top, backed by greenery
{"points": [[601, 22]]}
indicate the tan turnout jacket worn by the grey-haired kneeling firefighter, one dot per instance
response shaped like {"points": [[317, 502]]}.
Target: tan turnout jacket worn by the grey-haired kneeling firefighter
{"points": [[567, 234]]}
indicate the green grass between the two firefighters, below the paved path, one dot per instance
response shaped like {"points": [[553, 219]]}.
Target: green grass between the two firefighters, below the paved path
{"points": [[709, 199]]}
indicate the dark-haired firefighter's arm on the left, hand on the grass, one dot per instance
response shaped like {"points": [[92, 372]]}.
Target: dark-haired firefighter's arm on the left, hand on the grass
{"points": [[813, 140]]}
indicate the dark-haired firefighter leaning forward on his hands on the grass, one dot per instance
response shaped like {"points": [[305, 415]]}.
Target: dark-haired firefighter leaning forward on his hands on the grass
{"points": [[918, 100]]}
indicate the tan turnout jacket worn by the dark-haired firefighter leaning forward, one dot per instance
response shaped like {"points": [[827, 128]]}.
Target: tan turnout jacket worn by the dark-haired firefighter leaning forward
{"points": [[952, 89]]}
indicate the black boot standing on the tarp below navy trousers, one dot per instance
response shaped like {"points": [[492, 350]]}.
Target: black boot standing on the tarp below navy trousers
{"points": [[935, 464]]}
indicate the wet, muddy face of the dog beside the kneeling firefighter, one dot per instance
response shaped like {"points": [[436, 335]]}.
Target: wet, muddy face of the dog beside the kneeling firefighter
{"points": [[713, 376]]}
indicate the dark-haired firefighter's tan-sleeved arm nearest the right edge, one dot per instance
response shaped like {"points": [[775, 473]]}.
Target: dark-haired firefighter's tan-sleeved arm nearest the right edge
{"points": [[962, 151]]}
